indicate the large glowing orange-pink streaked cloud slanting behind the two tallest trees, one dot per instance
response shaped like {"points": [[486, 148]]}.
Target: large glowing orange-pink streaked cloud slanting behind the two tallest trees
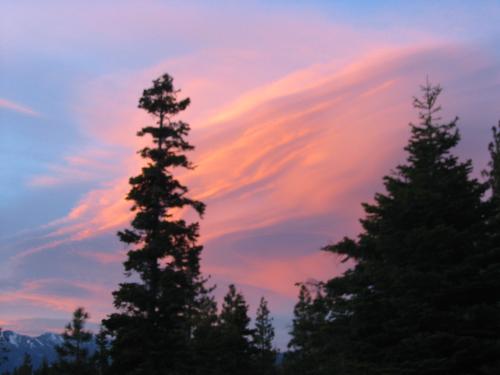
{"points": [[278, 152]]}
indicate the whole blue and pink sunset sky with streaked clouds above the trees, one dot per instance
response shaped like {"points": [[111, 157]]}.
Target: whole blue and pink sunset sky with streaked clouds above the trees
{"points": [[298, 110]]}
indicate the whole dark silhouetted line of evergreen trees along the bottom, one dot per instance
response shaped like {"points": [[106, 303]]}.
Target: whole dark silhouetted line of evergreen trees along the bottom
{"points": [[422, 295]]}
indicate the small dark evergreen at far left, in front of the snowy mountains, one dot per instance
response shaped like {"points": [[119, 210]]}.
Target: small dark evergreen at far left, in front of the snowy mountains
{"points": [[73, 354]]}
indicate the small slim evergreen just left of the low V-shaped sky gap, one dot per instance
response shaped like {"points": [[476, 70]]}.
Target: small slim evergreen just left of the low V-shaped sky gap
{"points": [[263, 336]]}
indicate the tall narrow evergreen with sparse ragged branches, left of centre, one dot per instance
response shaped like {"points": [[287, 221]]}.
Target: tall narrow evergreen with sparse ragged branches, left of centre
{"points": [[153, 329]]}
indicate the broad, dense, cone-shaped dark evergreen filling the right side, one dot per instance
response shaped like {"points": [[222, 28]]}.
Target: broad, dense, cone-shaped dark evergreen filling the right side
{"points": [[417, 301]]}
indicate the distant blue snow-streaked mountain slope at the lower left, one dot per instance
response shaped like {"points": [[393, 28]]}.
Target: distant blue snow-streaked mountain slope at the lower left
{"points": [[38, 348]]}
